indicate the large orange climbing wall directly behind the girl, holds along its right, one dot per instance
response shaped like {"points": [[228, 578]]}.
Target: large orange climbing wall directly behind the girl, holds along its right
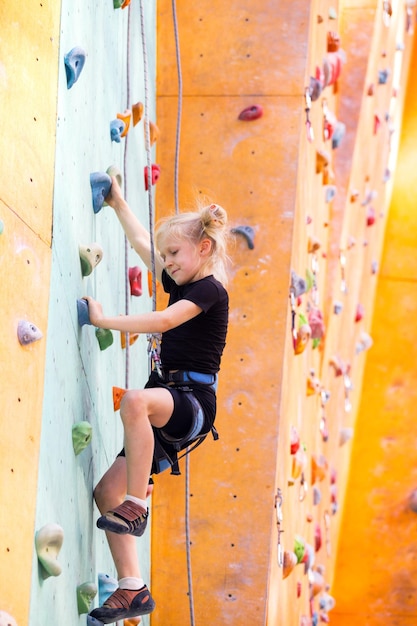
{"points": [[265, 174]]}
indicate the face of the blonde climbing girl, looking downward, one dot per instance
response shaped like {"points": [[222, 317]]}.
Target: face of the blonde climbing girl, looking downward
{"points": [[184, 260]]}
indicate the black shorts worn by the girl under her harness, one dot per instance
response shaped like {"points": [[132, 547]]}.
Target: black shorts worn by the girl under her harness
{"points": [[181, 420]]}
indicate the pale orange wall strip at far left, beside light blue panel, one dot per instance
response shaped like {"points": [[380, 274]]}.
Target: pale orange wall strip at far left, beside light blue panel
{"points": [[27, 125]]}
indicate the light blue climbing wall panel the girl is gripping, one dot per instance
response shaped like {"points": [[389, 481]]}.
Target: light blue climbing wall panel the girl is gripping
{"points": [[79, 377]]}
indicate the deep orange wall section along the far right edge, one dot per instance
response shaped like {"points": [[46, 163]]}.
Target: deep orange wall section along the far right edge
{"points": [[375, 571]]}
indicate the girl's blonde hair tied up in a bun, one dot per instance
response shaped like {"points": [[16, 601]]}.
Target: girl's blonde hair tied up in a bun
{"points": [[208, 221]]}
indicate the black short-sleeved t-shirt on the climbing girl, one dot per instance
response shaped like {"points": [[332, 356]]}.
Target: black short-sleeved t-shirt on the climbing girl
{"points": [[197, 345]]}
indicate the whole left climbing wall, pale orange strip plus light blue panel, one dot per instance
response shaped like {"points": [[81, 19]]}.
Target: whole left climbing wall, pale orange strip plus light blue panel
{"points": [[60, 136]]}
